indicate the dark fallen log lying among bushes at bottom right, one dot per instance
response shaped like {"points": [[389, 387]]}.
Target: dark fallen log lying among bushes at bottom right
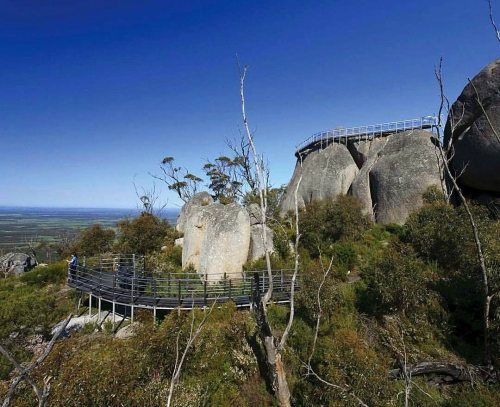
{"points": [[446, 373]]}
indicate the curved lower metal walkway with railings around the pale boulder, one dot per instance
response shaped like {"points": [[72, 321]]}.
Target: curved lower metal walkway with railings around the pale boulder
{"points": [[120, 283]]}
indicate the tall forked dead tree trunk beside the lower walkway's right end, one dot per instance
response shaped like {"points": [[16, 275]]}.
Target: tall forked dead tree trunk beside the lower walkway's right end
{"points": [[273, 345]]}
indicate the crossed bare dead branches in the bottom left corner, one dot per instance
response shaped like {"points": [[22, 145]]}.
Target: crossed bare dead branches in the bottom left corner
{"points": [[24, 373]]}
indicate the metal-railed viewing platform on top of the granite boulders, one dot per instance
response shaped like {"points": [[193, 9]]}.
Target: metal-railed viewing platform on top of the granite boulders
{"points": [[325, 138]]}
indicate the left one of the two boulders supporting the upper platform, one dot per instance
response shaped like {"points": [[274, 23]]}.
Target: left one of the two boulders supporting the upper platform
{"points": [[325, 174]]}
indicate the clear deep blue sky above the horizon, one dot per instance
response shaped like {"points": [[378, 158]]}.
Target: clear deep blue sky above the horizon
{"points": [[93, 94]]}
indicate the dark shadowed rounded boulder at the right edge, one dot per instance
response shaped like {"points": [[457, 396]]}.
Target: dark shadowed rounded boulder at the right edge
{"points": [[473, 127]]}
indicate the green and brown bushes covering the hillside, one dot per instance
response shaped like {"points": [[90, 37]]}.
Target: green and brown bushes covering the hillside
{"points": [[394, 293]]}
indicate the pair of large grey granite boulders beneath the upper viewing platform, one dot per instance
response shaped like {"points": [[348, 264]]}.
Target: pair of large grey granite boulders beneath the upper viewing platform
{"points": [[388, 174]]}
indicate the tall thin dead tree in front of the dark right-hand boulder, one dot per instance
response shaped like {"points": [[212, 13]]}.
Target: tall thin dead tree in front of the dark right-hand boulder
{"points": [[452, 178]]}
